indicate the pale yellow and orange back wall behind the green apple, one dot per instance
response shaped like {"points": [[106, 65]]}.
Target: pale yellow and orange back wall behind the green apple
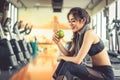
{"points": [[43, 21]]}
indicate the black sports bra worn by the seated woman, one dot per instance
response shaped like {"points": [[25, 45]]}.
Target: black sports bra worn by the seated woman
{"points": [[96, 48]]}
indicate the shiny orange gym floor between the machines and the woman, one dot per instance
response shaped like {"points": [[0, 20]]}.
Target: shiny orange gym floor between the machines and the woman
{"points": [[40, 68]]}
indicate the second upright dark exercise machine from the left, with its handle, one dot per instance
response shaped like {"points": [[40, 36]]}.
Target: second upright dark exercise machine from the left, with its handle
{"points": [[14, 43]]}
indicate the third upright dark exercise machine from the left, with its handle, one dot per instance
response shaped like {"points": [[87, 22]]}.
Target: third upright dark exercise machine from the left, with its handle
{"points": [[22, 43]]}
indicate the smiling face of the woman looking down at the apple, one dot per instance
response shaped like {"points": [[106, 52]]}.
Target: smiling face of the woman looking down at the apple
{"points": [[76, 24]]}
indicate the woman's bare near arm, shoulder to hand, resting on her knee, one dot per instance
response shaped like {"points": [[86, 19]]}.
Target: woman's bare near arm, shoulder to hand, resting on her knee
{"points": [[88, 40]]}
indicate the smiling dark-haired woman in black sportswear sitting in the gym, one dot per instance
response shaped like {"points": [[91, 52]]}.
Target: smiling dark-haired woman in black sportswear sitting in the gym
{"points": [[85, 41]]}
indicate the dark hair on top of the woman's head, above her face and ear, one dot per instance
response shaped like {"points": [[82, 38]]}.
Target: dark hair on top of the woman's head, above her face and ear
{"points": [[78, 12]]}
